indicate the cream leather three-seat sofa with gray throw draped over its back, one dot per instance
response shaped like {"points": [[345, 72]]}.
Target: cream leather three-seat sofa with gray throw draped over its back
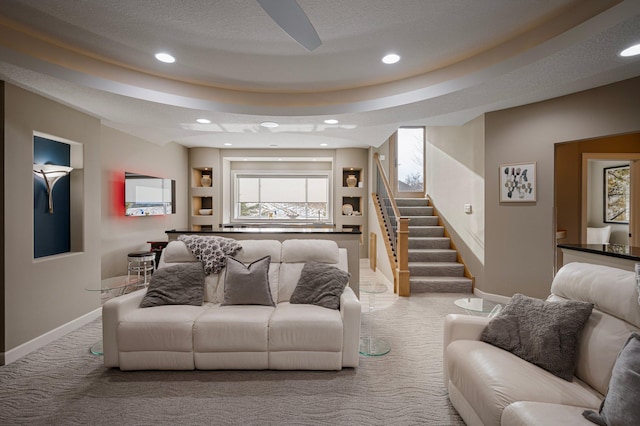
{"points": [[284, 337]]}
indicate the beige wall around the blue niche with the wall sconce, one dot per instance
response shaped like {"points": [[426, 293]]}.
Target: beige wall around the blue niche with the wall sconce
{"points": [[43, 294]]}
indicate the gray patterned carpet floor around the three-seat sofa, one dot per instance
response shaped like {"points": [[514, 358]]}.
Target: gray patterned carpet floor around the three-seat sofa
{"points": [[63, 384]]}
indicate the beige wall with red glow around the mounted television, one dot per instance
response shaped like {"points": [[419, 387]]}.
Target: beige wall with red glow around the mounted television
{"points": [[119, 234]]}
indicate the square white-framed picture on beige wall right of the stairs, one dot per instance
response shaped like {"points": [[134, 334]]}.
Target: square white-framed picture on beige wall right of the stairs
{"points": [[518, 183]]}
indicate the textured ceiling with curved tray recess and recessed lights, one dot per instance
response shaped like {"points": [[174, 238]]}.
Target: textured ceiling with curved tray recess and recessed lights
{"points": [[235, 66]]}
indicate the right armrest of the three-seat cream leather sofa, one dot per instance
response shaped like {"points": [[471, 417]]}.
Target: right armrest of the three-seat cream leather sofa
{"points": [[350, 312]]}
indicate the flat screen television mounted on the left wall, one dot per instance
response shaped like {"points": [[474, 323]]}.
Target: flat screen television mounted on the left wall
{"points": [[148, 195]]}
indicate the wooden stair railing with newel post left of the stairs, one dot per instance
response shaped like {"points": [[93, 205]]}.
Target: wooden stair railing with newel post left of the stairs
{"points": [[397, 228]]}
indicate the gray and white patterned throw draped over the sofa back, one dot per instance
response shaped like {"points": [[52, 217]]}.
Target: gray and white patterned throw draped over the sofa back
{"points": [[210, 250]]}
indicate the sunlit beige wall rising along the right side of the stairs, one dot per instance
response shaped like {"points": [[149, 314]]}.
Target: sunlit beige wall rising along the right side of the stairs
{"points": [[455, 177]]}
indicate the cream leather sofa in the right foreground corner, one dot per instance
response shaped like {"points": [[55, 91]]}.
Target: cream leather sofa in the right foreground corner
{"points": [[490, 386]]}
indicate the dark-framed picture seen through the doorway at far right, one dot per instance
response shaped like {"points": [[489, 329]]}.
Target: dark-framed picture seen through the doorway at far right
{"points": [[616, 194]]}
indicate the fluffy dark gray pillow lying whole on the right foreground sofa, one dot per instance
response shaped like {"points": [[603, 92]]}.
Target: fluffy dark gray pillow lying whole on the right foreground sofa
{"points": [[543, 333]]}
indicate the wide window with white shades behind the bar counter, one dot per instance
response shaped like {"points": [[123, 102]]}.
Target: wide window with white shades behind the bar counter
{"points": [[282, 197]]}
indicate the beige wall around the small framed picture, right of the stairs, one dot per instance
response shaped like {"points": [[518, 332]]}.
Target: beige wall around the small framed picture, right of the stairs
{"points": [[520, 238]]}
